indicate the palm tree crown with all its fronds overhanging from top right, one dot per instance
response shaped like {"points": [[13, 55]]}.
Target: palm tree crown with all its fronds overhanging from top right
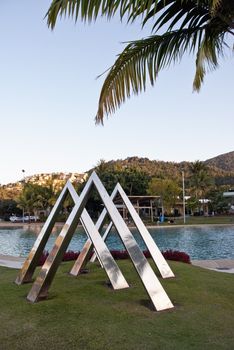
{"points": [[199, 27]]}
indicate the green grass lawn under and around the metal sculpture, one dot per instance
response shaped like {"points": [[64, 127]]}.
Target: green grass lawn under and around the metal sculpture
{"points": [[84, 313]]}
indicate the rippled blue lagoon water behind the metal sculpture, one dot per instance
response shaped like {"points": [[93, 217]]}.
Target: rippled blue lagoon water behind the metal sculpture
{"points": [[200, 242]]}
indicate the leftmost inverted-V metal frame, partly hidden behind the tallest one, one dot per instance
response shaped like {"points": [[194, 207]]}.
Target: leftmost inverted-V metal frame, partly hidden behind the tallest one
{"points": [[108, 263]]}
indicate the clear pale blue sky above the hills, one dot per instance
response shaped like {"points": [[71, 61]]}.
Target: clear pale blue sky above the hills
{"points": [[49, 95]]}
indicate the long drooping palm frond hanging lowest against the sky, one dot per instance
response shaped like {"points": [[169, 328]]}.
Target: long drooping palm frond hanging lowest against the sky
{"points": [[140, 60]]}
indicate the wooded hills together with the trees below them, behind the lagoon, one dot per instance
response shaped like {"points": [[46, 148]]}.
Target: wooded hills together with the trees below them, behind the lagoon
{"points": [[138, 176]]}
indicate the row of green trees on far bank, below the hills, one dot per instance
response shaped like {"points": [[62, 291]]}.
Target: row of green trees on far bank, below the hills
{"points": [[199, 184]]}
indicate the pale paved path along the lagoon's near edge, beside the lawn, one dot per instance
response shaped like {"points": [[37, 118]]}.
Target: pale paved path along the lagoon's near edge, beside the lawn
{"points": [[223, 265]]}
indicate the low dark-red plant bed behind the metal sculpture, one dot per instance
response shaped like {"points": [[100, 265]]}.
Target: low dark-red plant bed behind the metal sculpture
{"points": [[123, 254]]}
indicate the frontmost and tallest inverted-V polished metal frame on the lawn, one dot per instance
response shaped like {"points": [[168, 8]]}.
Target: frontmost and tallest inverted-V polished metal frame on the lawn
{"points": [[149, 280]]}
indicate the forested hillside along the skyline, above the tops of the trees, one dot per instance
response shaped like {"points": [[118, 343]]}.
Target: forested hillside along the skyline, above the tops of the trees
{"points": [[221, 169]]}
